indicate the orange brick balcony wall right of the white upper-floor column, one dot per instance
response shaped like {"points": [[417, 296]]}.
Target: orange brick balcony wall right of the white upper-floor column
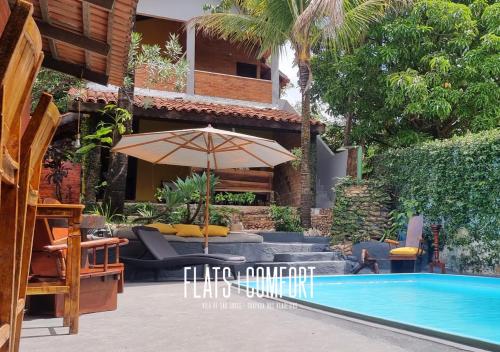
{"points": [[233, 87]]}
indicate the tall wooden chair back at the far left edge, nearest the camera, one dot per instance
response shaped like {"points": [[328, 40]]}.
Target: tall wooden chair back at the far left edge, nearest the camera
{"points": [[20, 59]]}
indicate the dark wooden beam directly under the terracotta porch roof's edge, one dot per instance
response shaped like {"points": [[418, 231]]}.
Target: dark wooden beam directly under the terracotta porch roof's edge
{"points": [[203, 118]]}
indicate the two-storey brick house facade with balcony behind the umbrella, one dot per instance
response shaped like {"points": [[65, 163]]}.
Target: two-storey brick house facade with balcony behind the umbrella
{"points": [[227, 87]]}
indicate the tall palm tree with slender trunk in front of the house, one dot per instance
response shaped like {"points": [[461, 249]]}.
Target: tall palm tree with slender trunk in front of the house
{"points": [[266, 25]]}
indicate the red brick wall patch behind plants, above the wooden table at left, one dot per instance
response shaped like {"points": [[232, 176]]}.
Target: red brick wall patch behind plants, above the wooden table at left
{"points": [[70, 186]]}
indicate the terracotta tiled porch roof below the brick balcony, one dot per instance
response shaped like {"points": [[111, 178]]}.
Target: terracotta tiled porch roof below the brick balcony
{"points": [[184, 105]]}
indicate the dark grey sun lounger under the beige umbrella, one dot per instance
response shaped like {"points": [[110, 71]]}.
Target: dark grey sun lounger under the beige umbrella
{"points": [[167, 258]]}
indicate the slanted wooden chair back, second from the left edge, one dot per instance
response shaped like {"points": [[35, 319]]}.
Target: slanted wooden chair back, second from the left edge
{"points": [[34, 144]]}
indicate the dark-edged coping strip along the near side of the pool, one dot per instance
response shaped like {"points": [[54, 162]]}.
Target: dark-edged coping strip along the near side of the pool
{"points": [[380, 322]]}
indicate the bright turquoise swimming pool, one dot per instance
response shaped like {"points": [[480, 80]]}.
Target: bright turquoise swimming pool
{"points": [[464, 309]]}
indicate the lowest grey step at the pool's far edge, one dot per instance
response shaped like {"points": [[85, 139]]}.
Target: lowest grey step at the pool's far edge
{"points": [[324, 267]]}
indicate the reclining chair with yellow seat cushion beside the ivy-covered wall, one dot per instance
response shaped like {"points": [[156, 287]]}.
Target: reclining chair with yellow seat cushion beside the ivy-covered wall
{"points": [[413, 248]]}
